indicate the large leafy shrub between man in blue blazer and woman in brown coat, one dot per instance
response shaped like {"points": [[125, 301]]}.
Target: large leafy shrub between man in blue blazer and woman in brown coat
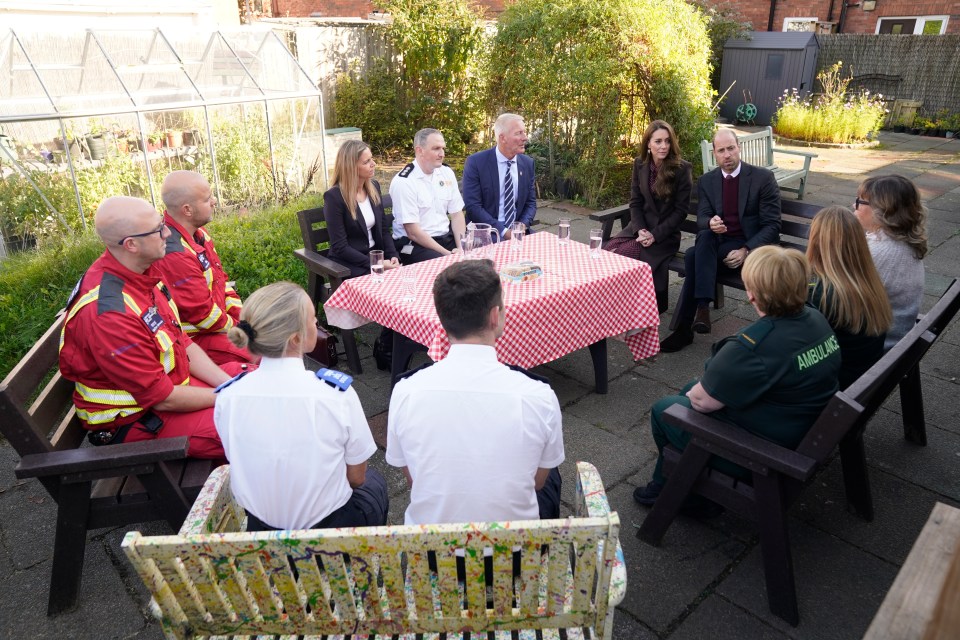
{"points": [[590, 76]]}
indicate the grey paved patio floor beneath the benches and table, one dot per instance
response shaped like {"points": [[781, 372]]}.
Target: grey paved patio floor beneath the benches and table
{"points": [[705, 580]]}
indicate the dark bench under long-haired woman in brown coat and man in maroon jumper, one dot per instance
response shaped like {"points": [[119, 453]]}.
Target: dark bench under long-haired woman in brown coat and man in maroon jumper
{"points": [[795, 219]]}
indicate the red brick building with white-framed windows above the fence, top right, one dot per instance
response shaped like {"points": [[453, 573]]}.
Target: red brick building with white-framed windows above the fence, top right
{"points": [[854, 16]]}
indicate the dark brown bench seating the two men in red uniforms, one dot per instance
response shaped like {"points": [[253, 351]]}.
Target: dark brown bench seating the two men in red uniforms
{"points": [[93, 487]]}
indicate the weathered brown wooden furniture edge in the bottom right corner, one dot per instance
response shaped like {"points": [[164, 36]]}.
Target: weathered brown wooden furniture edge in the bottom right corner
{"points": [[924, 601]]}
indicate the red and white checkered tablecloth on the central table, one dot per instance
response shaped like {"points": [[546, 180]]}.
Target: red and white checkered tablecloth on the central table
{"points": [[577, 301]]}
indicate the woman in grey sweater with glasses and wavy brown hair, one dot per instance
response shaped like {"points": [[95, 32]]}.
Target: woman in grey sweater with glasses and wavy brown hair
{"points": [[891, 213]]}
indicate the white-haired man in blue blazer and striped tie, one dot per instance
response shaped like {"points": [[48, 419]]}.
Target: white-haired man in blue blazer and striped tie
{"points": [[490, 175]]}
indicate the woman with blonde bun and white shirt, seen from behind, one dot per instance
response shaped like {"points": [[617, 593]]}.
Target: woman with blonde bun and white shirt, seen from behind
{"points": [[297, 442]]}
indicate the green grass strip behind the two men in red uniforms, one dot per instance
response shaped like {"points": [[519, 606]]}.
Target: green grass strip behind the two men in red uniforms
{"points": [[256, 249]]}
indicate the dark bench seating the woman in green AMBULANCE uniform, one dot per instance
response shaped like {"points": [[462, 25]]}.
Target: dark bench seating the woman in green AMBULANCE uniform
{"points": [[777, 474]]}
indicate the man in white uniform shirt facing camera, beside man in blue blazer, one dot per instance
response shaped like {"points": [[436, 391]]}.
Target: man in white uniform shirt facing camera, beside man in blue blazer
{"points": [[427, 206]]}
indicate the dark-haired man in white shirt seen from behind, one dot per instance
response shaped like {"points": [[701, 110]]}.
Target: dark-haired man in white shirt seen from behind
{"points": [[478, 441]]}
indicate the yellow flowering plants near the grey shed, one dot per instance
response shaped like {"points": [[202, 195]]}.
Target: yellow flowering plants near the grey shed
{"points": [[834, 116]]}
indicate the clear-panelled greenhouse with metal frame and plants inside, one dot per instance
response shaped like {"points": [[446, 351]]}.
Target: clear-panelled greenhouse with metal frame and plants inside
{"points": [[91, 114]]}
